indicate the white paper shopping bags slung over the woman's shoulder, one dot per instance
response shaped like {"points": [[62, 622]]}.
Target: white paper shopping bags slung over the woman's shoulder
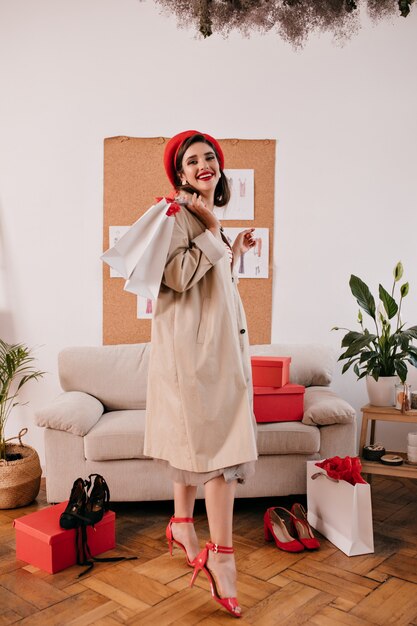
{"points": [[140, 254]]}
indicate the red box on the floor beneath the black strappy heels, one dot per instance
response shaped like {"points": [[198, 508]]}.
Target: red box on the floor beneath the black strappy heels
{"points": [[41, 541]]}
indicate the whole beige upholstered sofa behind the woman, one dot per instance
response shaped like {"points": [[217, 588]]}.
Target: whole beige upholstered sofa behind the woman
{"points": [[97, 425]]}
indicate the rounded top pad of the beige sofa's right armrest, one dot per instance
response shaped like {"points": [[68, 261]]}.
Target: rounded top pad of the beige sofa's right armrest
{"points": [[323, 406]]}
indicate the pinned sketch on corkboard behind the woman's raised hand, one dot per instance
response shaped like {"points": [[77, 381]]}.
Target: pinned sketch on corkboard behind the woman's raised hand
{"points": [[253, 264]]}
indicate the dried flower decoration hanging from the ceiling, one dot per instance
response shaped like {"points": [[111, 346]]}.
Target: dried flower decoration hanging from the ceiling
{"points": [[293, 20]]}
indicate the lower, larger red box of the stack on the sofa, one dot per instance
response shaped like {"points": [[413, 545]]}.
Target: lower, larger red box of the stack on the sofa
{"points": [[279, 405]]}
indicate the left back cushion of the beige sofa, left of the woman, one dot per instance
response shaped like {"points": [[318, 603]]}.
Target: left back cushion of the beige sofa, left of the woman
{"points": [[116, 375]]}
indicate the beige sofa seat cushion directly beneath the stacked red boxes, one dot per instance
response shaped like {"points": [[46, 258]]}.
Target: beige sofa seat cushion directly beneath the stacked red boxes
{"points": [[288, 438]]}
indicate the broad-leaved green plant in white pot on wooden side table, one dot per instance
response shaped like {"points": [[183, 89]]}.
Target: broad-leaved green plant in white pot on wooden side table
{"points": [[384, 351]]}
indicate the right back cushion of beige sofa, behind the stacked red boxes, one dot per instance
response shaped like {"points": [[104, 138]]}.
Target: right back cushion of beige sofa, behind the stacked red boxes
{"points": [[311, 364]]}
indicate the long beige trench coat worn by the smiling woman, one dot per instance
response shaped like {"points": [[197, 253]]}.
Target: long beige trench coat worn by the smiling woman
{"points": [[199, 401]]}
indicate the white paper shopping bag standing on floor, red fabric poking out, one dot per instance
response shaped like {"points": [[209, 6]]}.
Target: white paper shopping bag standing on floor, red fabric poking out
{"points": [[341, 512]]}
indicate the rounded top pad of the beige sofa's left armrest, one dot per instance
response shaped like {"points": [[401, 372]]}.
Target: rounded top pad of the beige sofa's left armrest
{"points": [[75, 412]]}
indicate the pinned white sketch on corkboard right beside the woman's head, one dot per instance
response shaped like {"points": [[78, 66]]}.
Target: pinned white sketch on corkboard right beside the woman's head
{"points": [[241, 205]]}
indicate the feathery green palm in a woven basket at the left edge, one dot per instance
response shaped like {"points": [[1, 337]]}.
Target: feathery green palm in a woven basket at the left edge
{"points": [[20, 470]]}
